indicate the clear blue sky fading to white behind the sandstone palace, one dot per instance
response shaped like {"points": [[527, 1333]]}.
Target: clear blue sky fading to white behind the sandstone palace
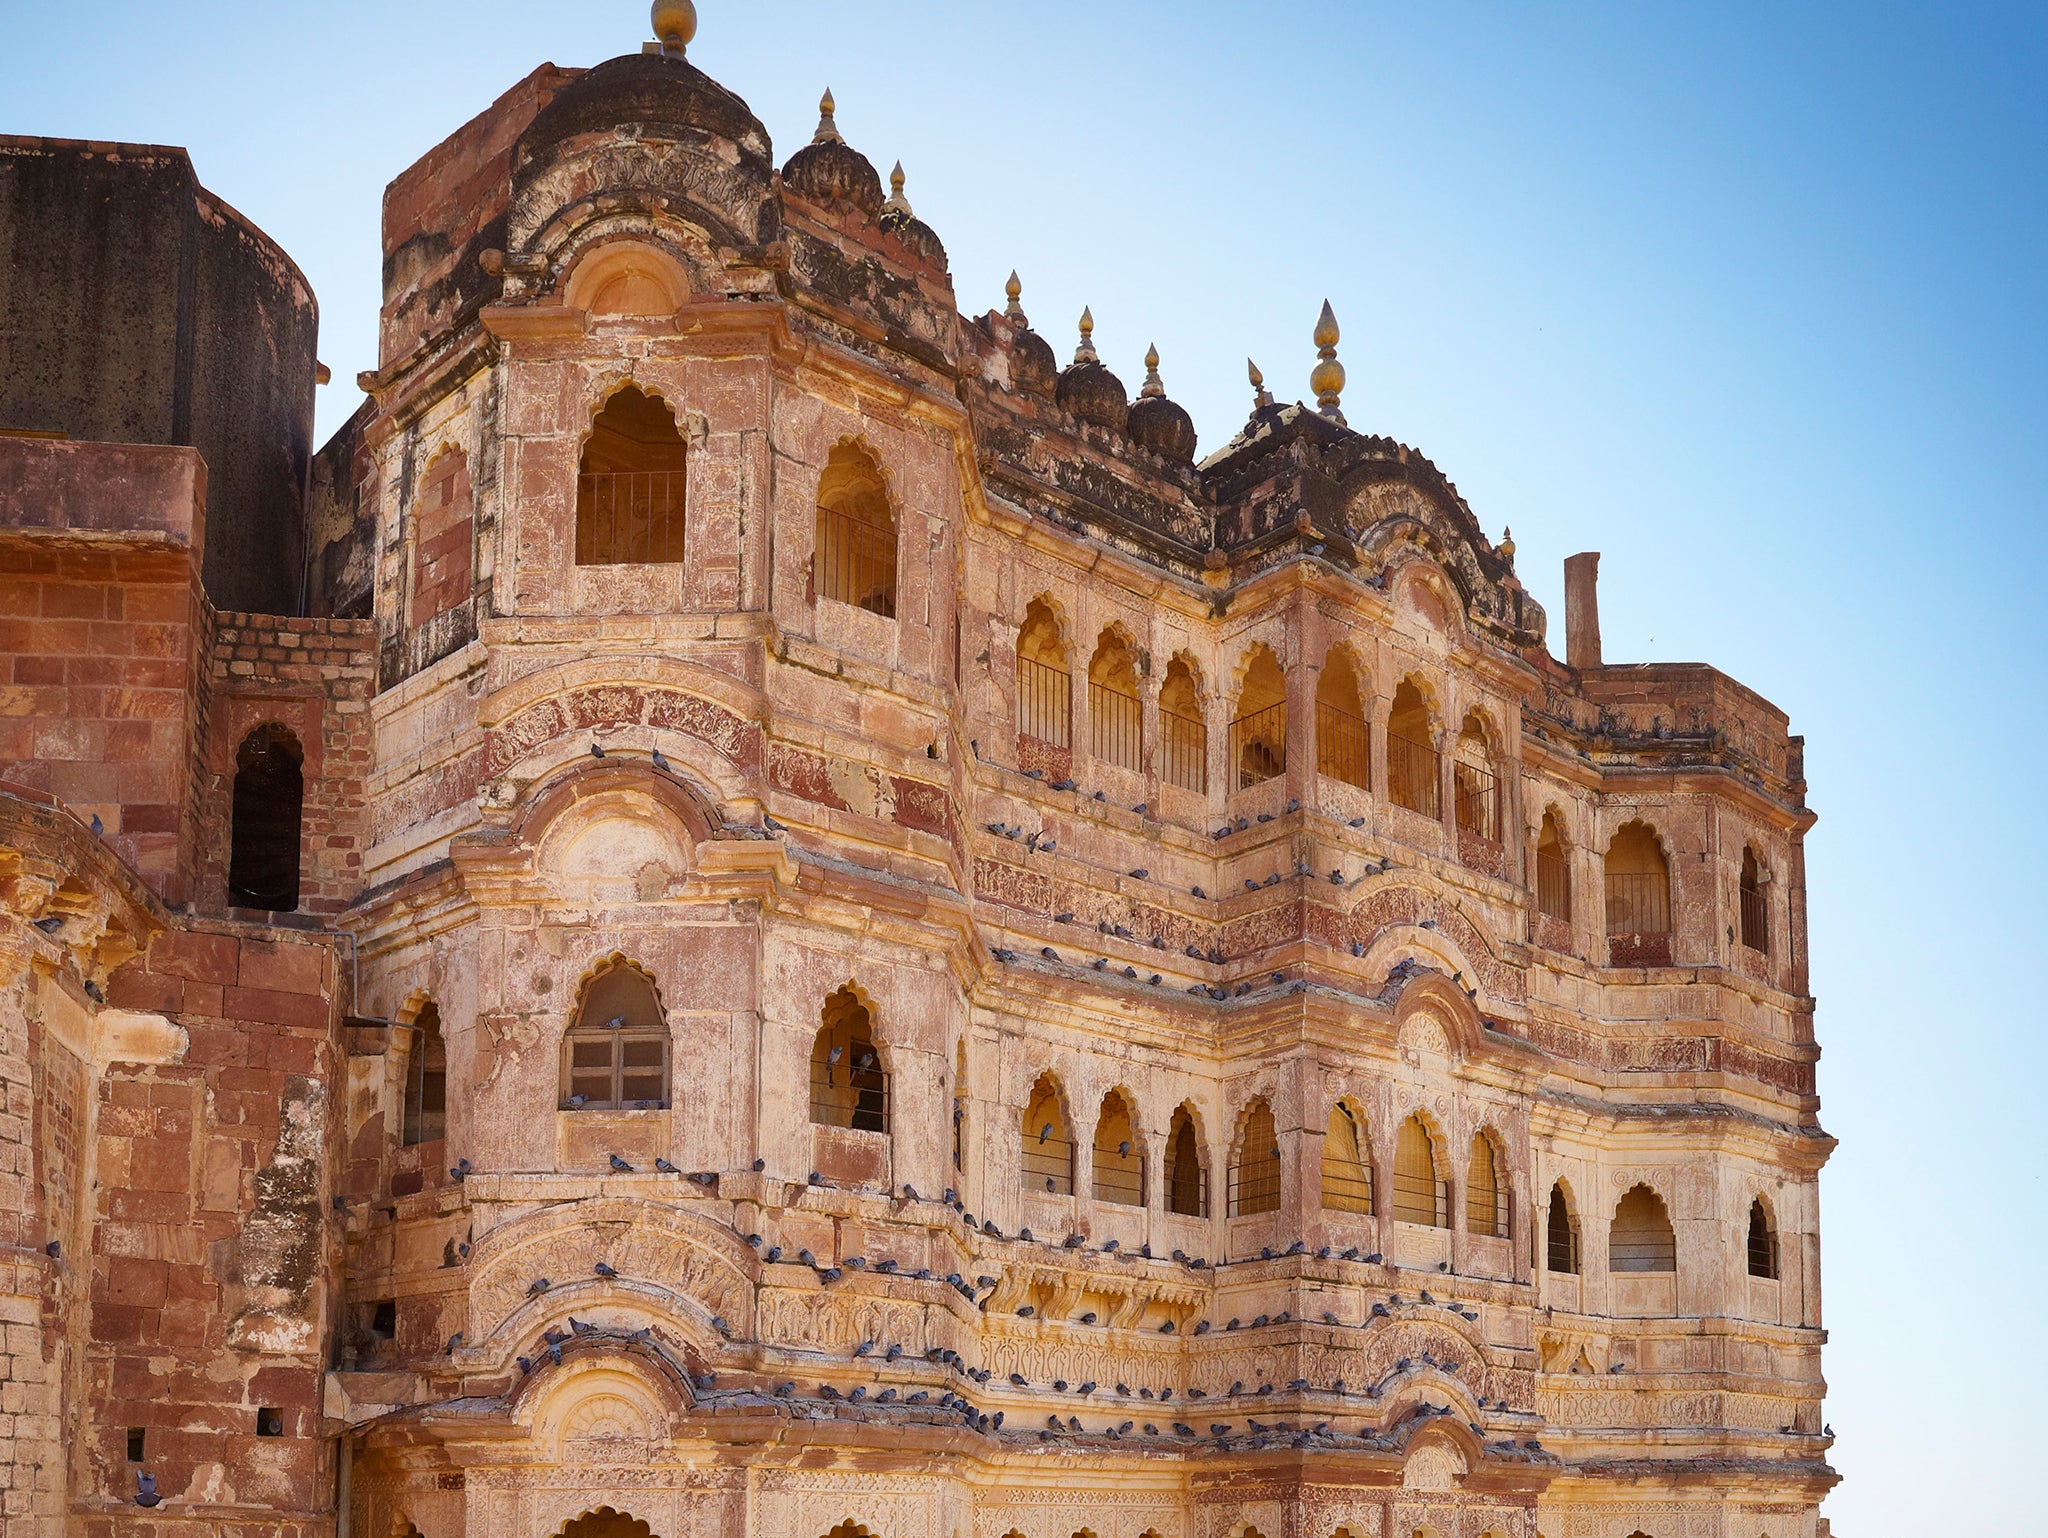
{"points": [[1748, 298]]}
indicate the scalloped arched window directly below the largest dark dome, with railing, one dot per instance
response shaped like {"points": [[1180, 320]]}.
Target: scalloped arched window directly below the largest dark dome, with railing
{"points": [[630, 490]]}
